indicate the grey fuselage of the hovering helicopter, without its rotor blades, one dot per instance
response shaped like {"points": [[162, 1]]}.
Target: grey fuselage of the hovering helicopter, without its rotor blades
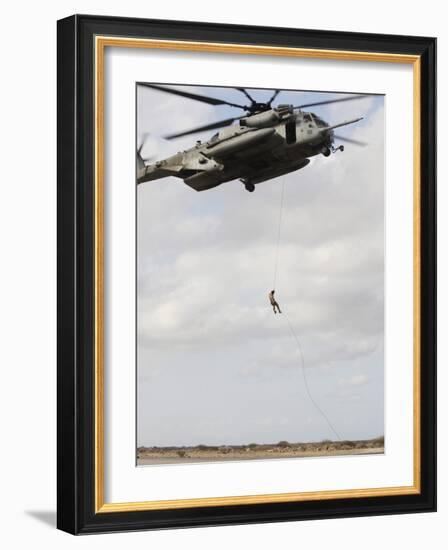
{"points": [[261, 147]]}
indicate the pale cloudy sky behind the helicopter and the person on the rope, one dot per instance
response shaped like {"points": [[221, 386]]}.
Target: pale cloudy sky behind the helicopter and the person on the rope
{"points": [[215, 365]]}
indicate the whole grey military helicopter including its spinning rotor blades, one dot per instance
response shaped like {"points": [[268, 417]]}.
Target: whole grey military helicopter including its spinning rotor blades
{"points": [[265, 143]]}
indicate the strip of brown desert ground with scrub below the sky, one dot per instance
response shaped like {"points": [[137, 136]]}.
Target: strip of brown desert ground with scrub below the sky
{"points": [[283, 449]]}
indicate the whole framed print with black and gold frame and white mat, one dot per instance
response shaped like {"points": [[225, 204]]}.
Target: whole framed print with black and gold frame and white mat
{"points": [[246, 274]]}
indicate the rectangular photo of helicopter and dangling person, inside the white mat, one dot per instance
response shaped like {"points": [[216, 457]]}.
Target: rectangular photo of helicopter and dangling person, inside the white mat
{"points": [[260, 267]]}
